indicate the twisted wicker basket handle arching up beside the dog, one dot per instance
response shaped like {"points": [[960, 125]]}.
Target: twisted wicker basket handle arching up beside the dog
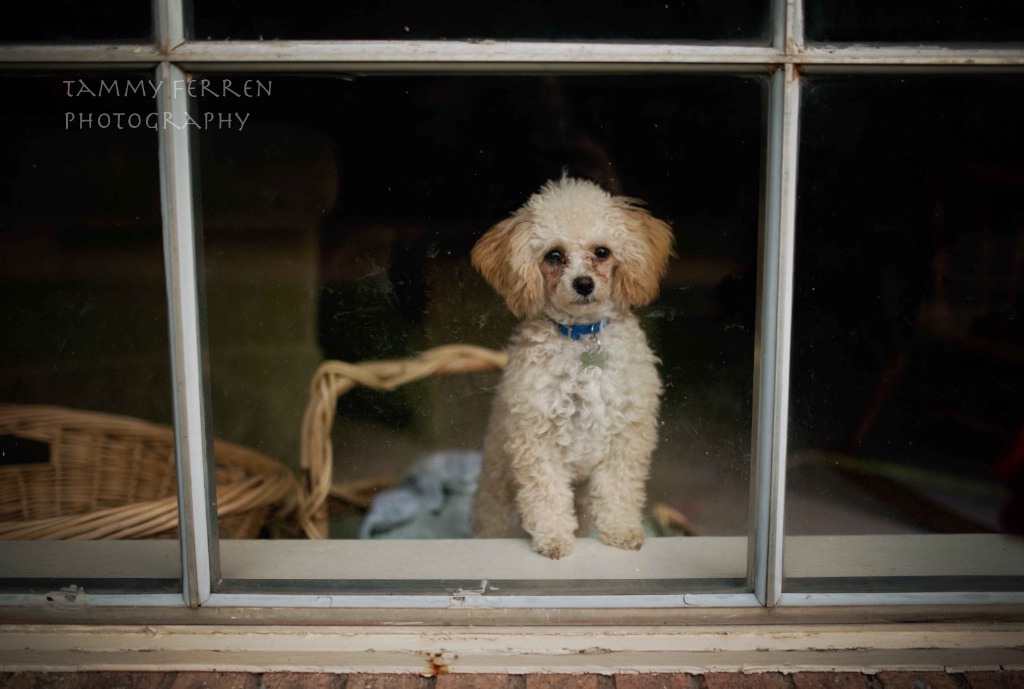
{"points": [[334, 379]]}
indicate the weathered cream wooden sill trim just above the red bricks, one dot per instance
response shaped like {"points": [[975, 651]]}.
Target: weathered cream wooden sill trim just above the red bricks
{"points": [[436, 651]]}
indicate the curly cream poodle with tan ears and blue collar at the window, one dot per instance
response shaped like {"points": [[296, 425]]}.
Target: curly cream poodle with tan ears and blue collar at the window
{"points": [[577, 408]]}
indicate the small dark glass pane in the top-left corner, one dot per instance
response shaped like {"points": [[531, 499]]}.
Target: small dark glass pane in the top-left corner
{"points": [[70, 22]]}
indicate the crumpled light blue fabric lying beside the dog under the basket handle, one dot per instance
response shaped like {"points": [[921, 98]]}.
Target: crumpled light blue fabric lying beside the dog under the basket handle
{"points": [[433, 502]]}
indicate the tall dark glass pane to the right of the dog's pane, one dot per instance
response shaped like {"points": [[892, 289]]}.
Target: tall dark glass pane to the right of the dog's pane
{"points": [[908, 384]]}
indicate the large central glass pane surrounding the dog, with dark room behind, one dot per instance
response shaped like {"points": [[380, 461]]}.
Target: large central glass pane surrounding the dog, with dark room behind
{"points": [[339, 224]]}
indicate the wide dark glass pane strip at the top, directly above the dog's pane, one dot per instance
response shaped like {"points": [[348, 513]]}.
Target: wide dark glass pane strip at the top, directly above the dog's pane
{"points": [[744, 21]]}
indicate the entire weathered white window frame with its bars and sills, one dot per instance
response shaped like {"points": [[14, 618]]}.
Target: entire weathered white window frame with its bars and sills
{"points": [[785, 61]]}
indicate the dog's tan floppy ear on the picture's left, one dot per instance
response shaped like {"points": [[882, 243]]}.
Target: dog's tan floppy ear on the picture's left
{"points": [[504, 259]]}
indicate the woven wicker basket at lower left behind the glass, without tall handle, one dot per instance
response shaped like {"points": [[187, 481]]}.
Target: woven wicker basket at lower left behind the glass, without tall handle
{"points": [[107, 478]]}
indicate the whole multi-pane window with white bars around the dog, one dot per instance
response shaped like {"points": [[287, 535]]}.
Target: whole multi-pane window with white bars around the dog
{"points": [[195, 225]]}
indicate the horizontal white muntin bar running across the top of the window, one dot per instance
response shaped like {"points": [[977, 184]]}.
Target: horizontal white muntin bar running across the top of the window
{"points": [[412, 57]]}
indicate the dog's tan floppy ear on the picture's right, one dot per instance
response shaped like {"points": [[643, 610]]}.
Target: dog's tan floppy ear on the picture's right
{"points": [[645, 259]]}
